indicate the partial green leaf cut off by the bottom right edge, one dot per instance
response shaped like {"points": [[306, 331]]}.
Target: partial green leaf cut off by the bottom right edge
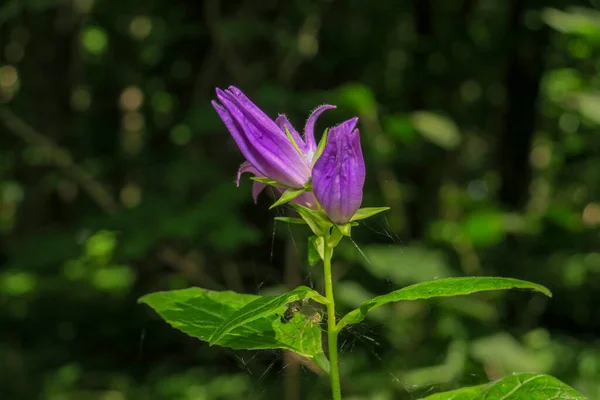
{"points": [[515, 387]]}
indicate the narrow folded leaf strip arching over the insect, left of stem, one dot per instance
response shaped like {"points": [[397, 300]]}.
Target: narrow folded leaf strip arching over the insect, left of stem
{"points": [[263, 306]]}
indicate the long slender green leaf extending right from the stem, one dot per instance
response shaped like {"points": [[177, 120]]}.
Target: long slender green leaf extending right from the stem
{"points": [[440, 288]]}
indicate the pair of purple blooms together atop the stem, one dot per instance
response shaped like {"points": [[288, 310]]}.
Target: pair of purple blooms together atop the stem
{"points": [[277, 154]]}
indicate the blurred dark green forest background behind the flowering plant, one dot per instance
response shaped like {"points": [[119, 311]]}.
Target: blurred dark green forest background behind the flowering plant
{"points": [[480, 128]]}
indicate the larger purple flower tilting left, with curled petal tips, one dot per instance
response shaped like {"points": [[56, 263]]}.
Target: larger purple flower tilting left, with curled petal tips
{"points": [[264, 143]]}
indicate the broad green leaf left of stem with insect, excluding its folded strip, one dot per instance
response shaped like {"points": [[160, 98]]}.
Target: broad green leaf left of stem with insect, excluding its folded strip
{"points": [[199, 312]]}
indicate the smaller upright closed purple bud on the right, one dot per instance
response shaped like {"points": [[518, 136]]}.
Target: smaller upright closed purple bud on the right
{"points": [[339, 173]]}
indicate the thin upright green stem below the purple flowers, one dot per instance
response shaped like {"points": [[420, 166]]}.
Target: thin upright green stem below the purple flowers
{"points": [[332, 331]]}
